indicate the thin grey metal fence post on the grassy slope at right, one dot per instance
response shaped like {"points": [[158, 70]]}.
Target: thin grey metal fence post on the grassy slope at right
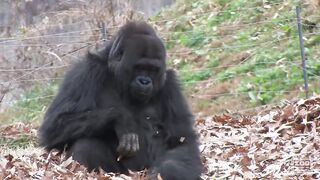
{"points": [[303, 58]]}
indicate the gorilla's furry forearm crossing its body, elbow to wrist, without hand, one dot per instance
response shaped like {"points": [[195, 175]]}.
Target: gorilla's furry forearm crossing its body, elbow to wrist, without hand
{"points": [[68, 127]]}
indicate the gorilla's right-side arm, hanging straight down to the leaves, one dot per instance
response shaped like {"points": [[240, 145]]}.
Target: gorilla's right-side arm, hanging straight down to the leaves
{"points": [[182, 160]]}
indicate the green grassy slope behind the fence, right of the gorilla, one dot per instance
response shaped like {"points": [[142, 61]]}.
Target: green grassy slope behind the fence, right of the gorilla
{"points": [[222, 31]]}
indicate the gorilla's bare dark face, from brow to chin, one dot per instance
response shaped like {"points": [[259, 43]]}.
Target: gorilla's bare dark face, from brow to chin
{"points": [[147, 61]]}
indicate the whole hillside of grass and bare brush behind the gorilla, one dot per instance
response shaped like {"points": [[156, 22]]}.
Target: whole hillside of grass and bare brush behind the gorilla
{"points": [[235, 56]]}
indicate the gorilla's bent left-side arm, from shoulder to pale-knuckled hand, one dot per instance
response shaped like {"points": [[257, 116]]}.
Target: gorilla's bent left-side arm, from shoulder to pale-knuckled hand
{"points": [[74, 113]]}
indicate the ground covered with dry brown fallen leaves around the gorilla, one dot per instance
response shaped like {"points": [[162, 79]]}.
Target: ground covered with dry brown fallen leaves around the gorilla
{"points": [[282, 142]]}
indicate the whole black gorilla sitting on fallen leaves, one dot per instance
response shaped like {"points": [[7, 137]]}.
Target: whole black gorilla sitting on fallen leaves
{"points": [[120, 109]]}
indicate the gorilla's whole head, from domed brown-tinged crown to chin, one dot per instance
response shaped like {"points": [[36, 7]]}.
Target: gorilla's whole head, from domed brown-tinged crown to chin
{"points": [[137, 59]]}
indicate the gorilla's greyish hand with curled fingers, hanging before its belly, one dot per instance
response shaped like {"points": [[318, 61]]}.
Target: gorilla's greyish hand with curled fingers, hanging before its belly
{"points": [[128, 144]]}
